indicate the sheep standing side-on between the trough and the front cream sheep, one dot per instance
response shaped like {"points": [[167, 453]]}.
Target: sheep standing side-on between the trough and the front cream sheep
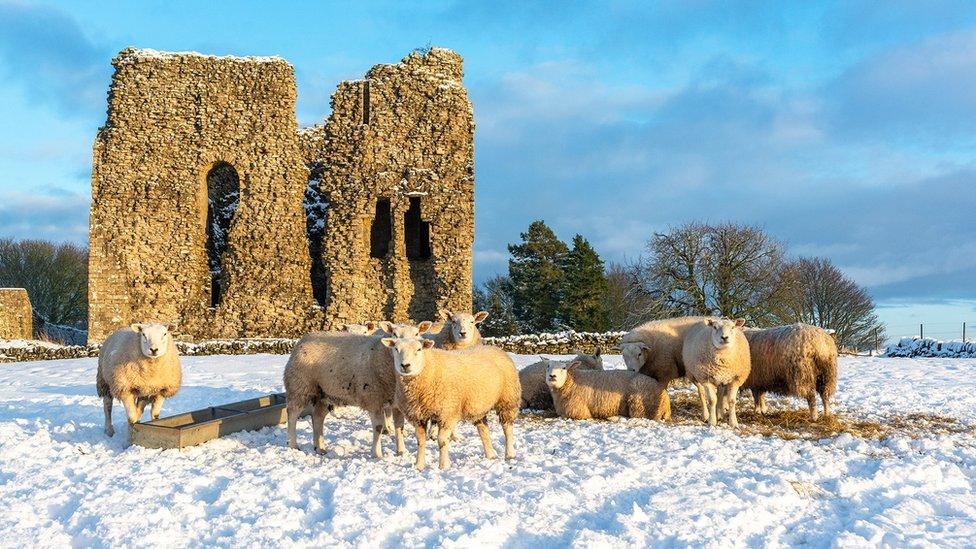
{"points": [[328, 369]]}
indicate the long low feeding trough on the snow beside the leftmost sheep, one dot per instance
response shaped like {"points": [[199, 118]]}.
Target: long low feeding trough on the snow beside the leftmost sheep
{"points": [[199, 426]]}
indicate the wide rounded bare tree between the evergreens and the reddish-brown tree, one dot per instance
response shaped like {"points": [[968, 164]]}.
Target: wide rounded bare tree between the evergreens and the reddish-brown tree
{"points": [[728, 269]]}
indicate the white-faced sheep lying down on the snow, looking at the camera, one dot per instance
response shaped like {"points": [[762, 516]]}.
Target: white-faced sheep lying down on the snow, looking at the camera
{"points": [[586, 394]]}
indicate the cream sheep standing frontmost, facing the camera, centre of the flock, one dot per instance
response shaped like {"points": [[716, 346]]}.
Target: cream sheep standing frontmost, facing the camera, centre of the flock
{"points": [[452, 386]]}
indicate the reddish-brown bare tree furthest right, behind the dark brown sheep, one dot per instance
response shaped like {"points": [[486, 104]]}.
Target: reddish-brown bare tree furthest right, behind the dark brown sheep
{"points": [[821, 295]]}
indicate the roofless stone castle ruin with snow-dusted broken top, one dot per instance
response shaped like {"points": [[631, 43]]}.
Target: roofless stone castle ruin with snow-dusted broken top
{"points": [[212, 209]]}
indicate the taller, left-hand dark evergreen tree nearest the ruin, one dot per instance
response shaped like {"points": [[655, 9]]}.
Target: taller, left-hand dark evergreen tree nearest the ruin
{"points": [[537, 279]]}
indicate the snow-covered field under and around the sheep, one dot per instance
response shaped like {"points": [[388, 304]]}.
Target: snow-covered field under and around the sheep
{"points": [[618, 483]]}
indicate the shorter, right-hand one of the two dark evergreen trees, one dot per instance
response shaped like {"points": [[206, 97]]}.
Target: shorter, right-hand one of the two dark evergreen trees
{"points": [[585, 288]]}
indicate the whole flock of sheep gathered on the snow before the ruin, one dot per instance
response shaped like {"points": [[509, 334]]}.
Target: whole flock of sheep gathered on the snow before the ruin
{"points": [[434, 376]]}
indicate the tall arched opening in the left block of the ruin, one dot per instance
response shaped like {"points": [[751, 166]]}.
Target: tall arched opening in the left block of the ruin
{"points": [[223, 196]]}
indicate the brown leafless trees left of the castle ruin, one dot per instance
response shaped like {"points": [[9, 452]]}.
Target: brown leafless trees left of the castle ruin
{"points": [[54, 275]]}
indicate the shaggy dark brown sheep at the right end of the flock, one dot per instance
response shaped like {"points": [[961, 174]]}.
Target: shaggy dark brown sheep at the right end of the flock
{"points": [[795, 360]]}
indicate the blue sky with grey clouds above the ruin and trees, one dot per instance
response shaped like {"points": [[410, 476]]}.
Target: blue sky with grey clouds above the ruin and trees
{"points": [[845, 129]]}
